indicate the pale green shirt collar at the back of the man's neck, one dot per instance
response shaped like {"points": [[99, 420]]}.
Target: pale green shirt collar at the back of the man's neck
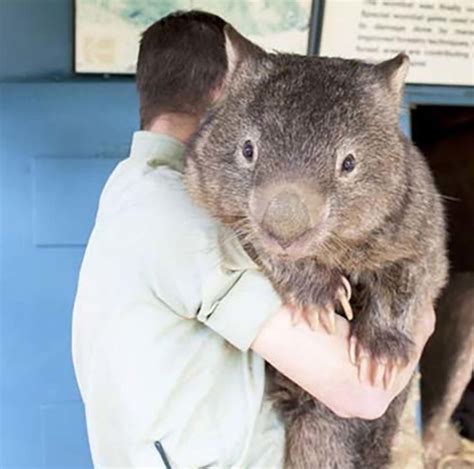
{"points": [[158, 150]]}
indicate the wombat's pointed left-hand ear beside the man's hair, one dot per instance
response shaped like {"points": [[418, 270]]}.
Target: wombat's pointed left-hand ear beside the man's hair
{"points": [[244, 58]]}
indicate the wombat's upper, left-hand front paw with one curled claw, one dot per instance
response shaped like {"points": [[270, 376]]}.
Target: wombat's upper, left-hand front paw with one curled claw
{"points": [[321, 309]]}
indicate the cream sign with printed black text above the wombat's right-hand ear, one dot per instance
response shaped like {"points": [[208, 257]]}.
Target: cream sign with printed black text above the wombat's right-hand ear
{"points": [[438, 35]]}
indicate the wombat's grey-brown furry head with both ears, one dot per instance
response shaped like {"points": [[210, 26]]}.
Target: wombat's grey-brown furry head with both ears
{"points": [[301, 152]]}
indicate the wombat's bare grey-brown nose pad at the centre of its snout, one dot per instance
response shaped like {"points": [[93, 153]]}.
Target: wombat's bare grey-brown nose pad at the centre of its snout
{"points": [[286, 217]]}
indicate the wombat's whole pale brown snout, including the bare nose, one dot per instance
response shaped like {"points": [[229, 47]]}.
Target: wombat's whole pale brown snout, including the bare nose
{"points": [[286, 212]]}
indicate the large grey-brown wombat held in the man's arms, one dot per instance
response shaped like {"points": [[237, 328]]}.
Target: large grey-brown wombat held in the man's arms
{"points": [[303, 158]]}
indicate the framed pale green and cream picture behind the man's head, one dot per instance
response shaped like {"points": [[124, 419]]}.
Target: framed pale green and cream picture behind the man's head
{"points": [[107, 32]]}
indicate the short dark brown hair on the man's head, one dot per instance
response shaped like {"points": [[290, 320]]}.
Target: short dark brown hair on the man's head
{"points": [[181, 61]]}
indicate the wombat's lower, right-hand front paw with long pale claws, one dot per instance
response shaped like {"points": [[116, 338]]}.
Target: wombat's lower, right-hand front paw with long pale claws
{"points": [[379, 354]]}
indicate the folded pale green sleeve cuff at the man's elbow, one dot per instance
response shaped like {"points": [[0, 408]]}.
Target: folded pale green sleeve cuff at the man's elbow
{"points": [[239, 314]]}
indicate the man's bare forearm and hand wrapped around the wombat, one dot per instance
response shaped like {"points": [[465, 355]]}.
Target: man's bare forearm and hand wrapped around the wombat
{"points": [[319, 363]]}
